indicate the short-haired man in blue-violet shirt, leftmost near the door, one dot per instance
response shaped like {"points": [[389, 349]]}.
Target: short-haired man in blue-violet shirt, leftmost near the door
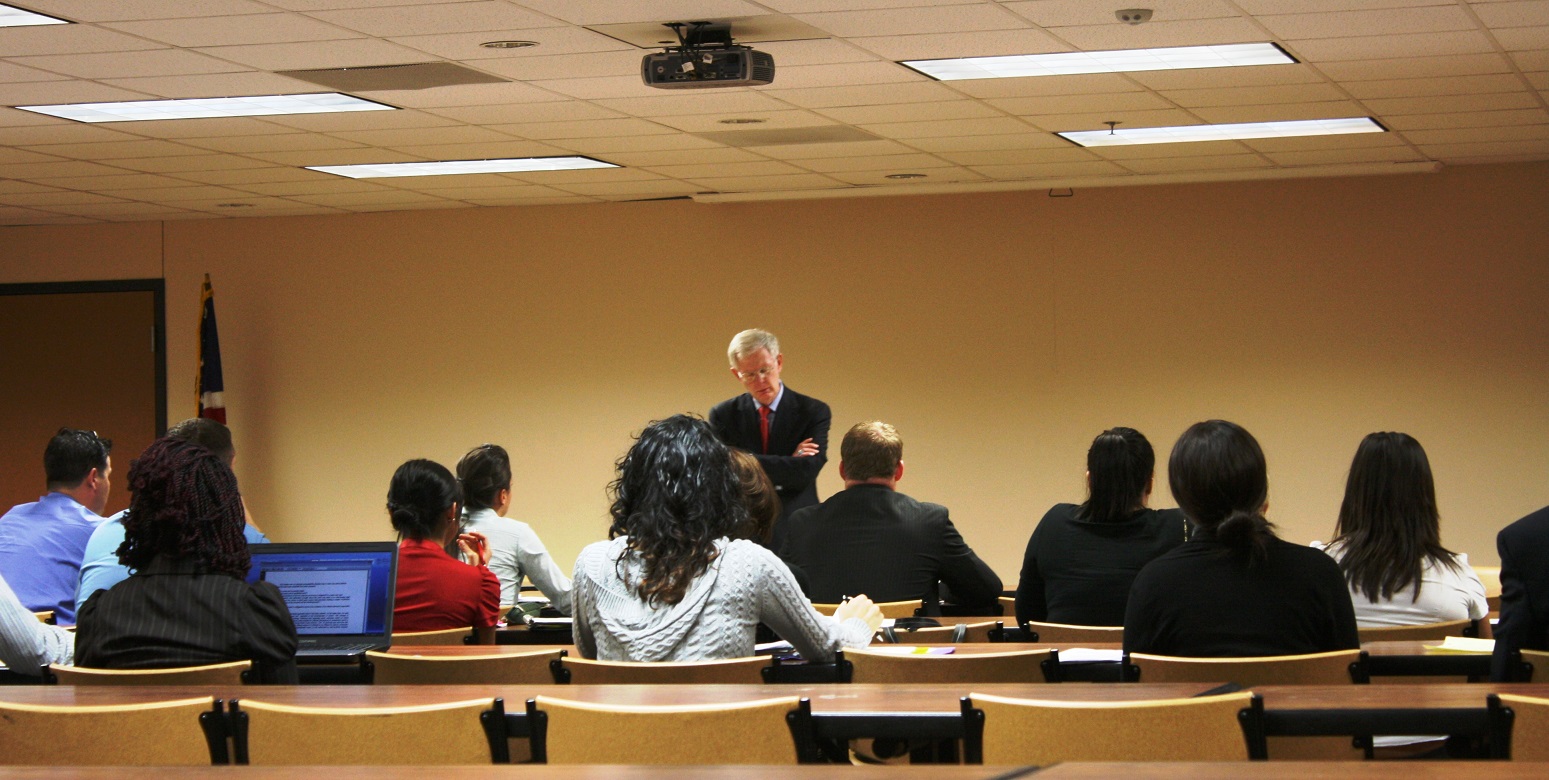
{"points": [[43, 542]]}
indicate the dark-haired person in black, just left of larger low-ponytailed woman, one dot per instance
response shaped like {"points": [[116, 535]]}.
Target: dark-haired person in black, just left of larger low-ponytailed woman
{"points": [[1082, 559]]}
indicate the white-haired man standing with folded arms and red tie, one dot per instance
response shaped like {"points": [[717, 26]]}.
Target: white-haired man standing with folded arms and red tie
{"points": [[786, 431]]}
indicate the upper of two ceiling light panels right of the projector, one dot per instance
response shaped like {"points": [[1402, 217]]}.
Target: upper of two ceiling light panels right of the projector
{"points": [[1122, 61]]}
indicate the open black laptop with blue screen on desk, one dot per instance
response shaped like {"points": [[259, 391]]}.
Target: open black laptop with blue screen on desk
{"points": [[340, 594]]}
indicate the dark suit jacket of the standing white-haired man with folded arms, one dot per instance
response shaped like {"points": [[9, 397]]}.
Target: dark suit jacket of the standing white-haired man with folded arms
{"points": [[799, 419]]}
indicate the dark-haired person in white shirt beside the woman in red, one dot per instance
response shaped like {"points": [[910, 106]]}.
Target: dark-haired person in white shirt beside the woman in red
{"points": [[515, 549]]}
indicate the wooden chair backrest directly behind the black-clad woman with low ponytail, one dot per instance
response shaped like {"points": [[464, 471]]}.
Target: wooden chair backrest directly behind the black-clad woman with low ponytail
{"points": [[1313, 669]]}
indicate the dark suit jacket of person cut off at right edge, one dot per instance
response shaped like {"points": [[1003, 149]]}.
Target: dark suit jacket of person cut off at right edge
{"points": [[1525, 589]]}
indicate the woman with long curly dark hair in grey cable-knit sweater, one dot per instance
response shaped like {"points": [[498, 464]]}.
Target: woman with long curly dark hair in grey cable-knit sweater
{"points": [[673, 584]]}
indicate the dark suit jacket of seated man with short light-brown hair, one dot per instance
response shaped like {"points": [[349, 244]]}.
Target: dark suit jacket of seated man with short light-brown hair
{"points": [[876, 541]]}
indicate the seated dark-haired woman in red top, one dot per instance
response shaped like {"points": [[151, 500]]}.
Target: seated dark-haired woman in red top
{"points": [[438, 592]]}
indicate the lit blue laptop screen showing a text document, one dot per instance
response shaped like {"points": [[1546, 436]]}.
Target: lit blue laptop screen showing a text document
{"points": [[331, 592]]}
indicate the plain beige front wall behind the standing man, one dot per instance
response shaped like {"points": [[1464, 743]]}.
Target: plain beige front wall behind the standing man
{"points": [[998, 332]]}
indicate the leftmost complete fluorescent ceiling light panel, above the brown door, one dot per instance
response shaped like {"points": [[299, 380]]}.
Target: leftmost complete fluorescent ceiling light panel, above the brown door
{"points": [[210, 108]]}
